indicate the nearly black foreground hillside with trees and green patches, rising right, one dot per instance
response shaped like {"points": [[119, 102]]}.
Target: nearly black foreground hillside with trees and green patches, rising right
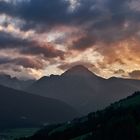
{"points": [[119, 121]]}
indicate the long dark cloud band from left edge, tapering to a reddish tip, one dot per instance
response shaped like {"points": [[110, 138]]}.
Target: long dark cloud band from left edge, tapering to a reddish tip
{"points": [[28, 47]]}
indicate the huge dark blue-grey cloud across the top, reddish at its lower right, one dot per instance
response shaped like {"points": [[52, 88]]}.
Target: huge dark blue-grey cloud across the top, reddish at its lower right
{"points": [[100, 20]]}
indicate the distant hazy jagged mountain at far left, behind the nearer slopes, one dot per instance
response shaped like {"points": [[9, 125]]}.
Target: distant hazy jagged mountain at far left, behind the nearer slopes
{"points": [[15, 83]]}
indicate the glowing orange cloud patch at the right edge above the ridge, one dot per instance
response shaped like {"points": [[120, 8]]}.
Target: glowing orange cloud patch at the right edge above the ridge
{"points": [[125, 52]]}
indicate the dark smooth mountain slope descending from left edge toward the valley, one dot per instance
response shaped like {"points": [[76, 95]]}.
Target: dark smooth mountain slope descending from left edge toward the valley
{"points": [[20, 109]]}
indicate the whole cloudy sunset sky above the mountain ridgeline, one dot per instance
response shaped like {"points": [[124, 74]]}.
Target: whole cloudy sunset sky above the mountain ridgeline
{"points": [[44, 37]]}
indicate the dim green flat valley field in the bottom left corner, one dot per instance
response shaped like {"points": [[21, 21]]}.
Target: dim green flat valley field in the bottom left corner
{"points": [[11, 134]]}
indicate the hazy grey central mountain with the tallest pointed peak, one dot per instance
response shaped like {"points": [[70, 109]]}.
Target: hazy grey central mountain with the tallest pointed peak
{"points": [[84, 90]]}
